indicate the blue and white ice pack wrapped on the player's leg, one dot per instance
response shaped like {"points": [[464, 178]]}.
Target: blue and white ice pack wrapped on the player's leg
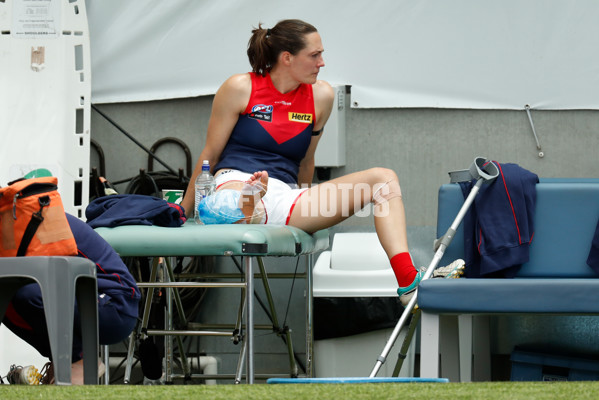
{"points": [[222, 207]]}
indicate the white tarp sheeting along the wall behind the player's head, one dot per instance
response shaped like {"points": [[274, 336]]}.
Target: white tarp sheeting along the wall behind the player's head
{"points": [[485, 54]]}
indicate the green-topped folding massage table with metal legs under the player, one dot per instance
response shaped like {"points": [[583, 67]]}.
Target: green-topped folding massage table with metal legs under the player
{"points": [[249, 241]]}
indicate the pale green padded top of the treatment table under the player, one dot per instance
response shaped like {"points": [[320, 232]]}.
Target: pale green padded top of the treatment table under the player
{"points": [[203, 240]]}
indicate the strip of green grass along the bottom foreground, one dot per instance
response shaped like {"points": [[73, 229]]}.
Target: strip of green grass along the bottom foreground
{"points": [[403, 391]]}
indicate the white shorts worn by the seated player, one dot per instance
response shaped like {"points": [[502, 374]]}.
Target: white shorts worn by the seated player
{"points": [[278, 202]]}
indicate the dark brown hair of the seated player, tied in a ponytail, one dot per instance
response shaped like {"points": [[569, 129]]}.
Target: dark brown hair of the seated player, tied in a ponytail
{"points": [[265, 45]]}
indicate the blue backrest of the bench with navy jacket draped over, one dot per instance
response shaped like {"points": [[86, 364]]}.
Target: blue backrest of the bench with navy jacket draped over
{"points": [[566, 216]]}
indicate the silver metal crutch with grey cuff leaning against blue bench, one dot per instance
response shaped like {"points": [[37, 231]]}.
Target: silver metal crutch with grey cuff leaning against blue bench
{"points": [[482, 171]]}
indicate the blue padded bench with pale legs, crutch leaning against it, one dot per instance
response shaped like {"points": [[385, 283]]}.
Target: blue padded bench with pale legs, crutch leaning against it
{"points": [[555, 280]]}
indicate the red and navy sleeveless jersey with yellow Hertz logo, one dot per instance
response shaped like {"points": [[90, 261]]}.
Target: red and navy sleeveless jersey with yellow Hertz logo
{"points": [[273, 133]]}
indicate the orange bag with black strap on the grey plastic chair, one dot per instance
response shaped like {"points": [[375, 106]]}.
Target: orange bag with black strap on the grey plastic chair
{"points": [[33, 220]]}
